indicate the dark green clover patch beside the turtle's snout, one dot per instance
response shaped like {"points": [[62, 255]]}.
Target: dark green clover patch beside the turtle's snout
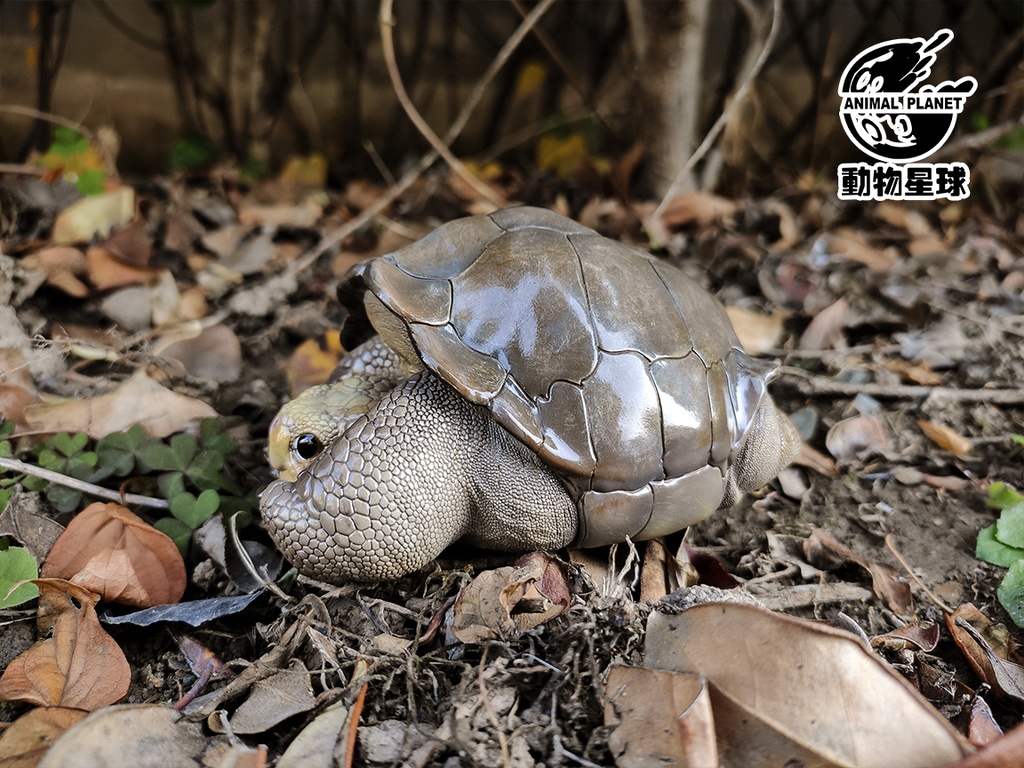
{"points": [[187, 471]]}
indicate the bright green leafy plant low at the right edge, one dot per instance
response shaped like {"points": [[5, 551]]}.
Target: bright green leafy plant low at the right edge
{"points": [[1003, 544]]}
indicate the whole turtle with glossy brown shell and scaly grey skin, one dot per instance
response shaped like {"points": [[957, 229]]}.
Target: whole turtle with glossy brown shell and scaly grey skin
{"points": [[525, 385]]}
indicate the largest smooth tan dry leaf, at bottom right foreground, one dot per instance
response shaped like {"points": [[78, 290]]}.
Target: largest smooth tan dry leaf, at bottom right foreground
{"points": [[788, 690]]}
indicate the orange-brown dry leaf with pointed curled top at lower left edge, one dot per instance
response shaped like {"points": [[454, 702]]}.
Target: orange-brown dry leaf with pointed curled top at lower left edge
{"points": [[78, 665]]}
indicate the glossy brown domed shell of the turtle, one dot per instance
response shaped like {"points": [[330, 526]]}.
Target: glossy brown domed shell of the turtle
{"points": [[622, 373]]}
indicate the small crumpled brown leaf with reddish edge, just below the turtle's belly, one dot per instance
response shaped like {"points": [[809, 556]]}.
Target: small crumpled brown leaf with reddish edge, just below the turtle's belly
{"points": [[513, 600]]}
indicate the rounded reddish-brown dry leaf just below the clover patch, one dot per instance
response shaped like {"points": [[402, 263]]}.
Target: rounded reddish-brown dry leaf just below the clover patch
{"points": [[110, 550]]}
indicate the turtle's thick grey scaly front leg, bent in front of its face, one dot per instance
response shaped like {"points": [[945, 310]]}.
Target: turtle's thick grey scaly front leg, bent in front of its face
{"points": [[421, 470]]}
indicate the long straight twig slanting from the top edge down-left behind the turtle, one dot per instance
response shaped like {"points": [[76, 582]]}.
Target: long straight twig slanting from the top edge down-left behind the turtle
{"points": [[344, 232]]}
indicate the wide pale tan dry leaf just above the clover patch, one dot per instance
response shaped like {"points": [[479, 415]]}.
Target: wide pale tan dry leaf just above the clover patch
{"points": [[139, 401]]}
